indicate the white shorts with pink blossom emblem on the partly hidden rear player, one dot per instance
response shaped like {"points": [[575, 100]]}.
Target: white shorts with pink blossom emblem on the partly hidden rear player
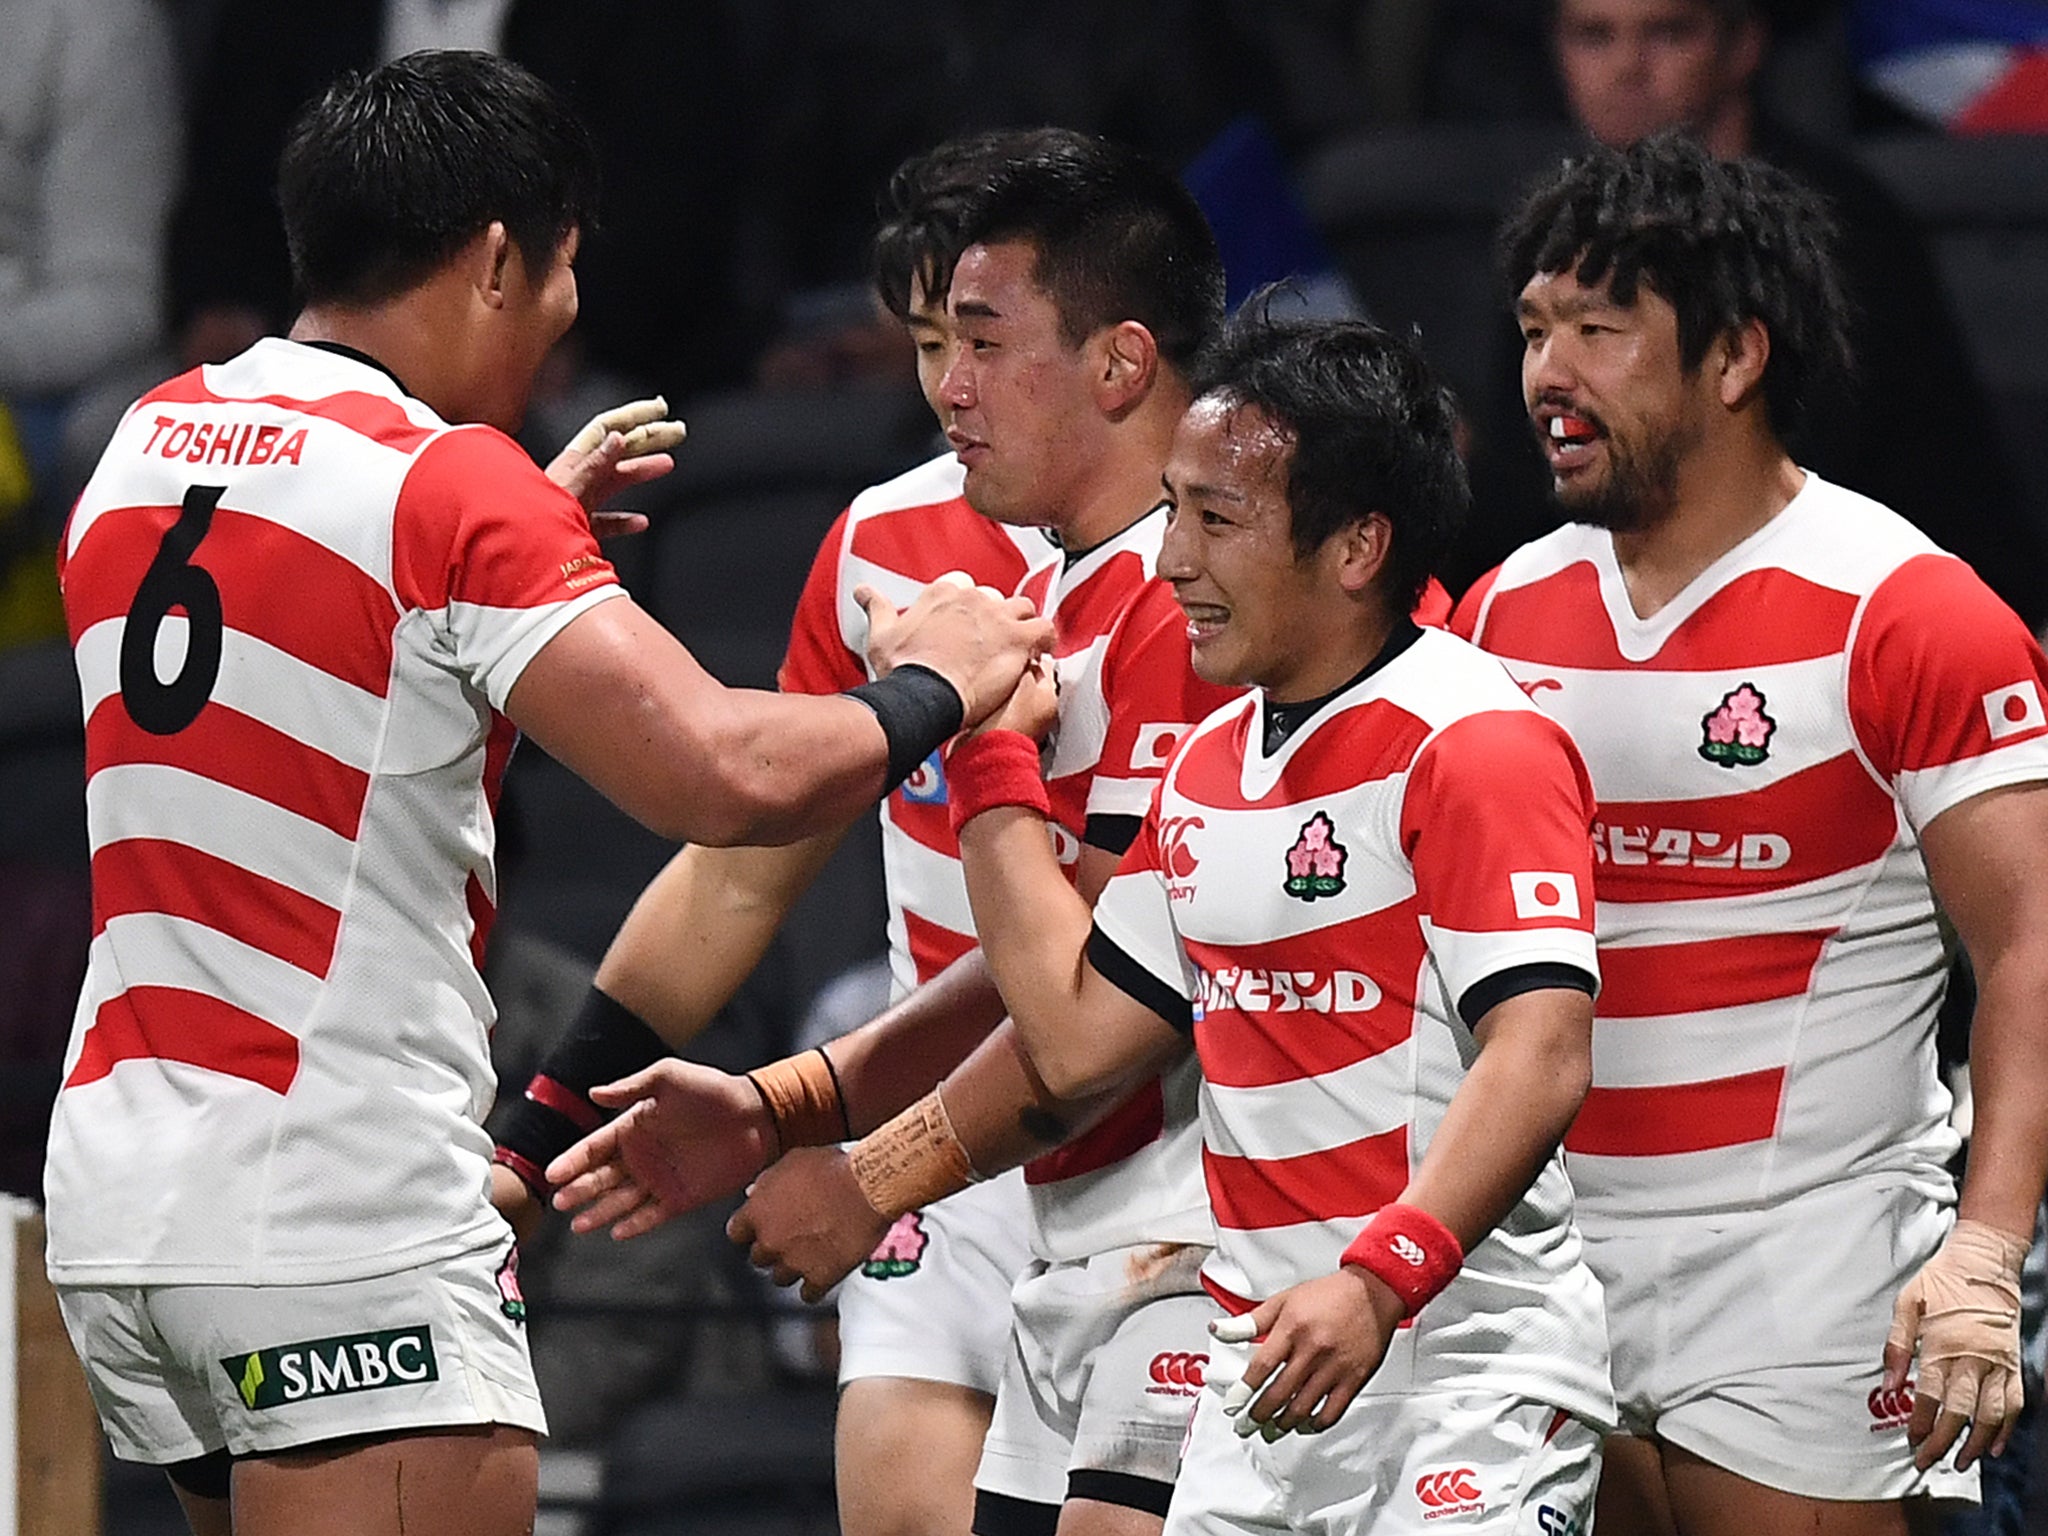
{"points": [[933, 1304]]}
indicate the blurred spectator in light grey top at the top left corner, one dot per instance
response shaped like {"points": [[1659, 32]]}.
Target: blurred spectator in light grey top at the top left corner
{"points": [[89, 153]]}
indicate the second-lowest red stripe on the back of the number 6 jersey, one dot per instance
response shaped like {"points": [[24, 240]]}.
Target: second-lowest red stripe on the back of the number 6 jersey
{"points": [[148, 876]]}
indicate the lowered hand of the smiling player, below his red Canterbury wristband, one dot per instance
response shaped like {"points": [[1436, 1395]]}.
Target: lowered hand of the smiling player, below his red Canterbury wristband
{"points": [[1318, 1347]]}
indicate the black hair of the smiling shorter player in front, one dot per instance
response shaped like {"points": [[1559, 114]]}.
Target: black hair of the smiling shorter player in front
{"points": [[1371, 429]]}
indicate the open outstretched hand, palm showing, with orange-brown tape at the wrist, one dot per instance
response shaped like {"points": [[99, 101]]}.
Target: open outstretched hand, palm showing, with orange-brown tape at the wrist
{"points": [[689, 1136]]}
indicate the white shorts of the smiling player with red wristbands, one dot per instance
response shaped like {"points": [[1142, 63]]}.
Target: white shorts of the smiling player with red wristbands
{"points": [[1400, 1465]]}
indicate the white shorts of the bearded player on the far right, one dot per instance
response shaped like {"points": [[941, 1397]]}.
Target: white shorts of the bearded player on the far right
{"points": [[1756, 1340]]}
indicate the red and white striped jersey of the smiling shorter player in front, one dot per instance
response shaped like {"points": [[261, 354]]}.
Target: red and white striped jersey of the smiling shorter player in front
{"points": [[1334, 916]]}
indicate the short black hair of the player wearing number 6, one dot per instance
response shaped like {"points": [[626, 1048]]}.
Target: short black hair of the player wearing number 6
{"points": [[390, 173]]}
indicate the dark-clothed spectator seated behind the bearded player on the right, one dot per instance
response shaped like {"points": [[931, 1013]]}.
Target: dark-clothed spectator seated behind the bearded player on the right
{"points": [[1916, 431]]}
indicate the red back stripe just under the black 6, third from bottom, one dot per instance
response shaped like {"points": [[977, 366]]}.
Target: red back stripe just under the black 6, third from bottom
{"points": [[230, 749]]}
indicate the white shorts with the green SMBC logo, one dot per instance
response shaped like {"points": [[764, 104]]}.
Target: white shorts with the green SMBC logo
{"points": [[185, 1371]]}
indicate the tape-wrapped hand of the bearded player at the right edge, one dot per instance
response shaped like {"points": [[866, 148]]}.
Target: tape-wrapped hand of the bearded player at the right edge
{"points": [[1963, 1314]]}
